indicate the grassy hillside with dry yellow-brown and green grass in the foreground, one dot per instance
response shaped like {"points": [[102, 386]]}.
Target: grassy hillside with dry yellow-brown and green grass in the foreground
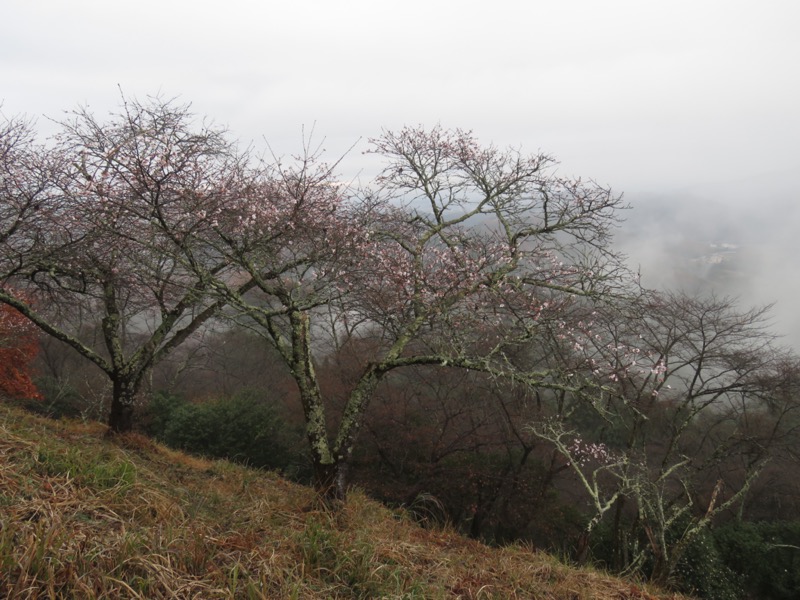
{"points": [[83, 517]]}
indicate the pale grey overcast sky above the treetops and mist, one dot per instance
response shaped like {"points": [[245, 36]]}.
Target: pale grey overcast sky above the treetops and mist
{"points": [[648, 96]]}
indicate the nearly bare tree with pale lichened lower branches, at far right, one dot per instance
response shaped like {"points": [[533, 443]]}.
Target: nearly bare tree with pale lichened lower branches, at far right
{"points": [[683, 371]]}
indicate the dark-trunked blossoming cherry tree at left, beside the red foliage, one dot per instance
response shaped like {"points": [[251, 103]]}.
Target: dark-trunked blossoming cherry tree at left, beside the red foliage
{"points": [[129, 192]]}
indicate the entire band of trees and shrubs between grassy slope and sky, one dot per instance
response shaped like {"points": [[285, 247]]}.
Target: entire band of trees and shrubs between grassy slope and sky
{"points": [[458, 336]]}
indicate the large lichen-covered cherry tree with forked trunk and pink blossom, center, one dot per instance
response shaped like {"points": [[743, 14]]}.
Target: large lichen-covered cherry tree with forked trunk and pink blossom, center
{"points": [[455, 257]]}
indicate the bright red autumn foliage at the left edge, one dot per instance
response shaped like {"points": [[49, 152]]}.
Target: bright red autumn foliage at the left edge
{"points": [[19, 345]]}
